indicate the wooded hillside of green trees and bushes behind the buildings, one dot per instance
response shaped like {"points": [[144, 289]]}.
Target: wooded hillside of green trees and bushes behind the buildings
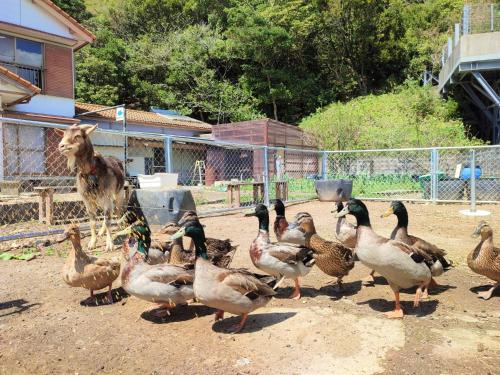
{"points": [[231, 60]]}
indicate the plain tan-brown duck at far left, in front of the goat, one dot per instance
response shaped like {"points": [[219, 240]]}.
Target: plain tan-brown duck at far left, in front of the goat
{"points": [[89, 272]]}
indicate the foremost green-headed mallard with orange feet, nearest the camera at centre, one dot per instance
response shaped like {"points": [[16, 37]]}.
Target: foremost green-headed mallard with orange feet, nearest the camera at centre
{"points": [[236, 291]]}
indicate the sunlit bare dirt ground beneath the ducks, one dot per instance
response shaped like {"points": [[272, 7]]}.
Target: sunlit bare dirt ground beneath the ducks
{"points": [[46, 327]]}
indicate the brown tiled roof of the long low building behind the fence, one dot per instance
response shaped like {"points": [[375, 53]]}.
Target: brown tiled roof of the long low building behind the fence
{"points": [[143, 117]]}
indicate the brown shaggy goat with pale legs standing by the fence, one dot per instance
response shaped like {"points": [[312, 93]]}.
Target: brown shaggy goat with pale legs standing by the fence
{"points": [[99, 180]]}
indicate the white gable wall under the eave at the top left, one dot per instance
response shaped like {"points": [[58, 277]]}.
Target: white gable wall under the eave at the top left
{"points": [[28, 14]]}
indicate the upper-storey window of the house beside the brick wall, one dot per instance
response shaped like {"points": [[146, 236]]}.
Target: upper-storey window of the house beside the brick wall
{"points": [[23, 57]]}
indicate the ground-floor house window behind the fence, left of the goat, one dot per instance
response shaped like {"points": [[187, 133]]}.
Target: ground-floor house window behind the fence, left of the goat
{"points": [[24, 150]]}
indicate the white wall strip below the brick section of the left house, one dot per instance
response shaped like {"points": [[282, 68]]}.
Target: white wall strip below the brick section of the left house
{"points": [[47, 105]]}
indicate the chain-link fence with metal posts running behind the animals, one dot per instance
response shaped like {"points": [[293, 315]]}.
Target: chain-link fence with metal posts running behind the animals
{"points": [[38, 188]]}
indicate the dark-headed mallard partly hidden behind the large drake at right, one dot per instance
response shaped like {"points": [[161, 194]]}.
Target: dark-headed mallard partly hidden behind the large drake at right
{"points": [[400, 233]]}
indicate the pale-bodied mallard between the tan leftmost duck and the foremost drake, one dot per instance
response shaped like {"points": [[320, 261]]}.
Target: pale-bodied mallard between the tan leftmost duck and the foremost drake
{"points": [[165, 284]]}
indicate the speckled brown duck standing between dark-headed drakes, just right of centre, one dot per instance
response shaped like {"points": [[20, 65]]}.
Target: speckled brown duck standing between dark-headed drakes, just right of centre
{"points": [[331, 257]]}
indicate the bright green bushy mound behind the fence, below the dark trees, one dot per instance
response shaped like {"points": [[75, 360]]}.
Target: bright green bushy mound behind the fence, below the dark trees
{"points": [[410, 116]]}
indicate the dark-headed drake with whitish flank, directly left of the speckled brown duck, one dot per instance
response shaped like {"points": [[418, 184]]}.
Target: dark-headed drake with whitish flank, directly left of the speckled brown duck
{"points": [[278, 259]]}
